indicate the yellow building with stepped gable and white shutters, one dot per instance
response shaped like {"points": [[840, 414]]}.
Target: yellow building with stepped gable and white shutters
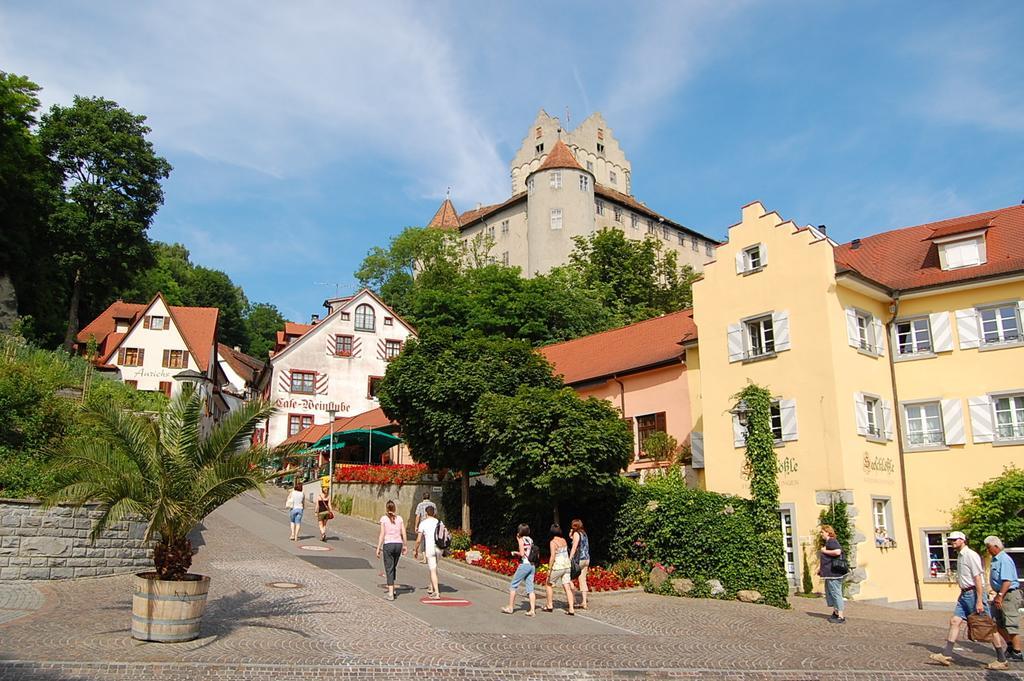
{"points": [[899, 365]]}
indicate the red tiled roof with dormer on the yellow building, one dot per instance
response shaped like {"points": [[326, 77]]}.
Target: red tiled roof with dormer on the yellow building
{"points": [[907, 259]]}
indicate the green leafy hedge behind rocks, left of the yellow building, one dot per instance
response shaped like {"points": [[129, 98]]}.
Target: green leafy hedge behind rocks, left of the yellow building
{"points": [[702, 535]]}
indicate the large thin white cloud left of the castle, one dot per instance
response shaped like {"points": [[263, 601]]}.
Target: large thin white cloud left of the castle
{"points": [[280, 90]]}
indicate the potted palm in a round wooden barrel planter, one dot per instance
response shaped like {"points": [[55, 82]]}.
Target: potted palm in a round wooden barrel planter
{"points": [[173, 472]]}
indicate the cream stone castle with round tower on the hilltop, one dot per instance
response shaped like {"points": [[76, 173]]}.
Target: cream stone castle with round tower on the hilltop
{"points": [[567, 185]]}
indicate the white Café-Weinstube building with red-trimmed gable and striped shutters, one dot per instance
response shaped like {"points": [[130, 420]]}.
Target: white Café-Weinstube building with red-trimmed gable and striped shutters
{"points": [[333, 365]]}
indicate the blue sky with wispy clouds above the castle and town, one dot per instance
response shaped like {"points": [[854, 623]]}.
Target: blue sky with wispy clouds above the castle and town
{"points": [[305, 134]]}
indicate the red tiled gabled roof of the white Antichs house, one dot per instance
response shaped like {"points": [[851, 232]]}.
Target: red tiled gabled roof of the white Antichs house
{"points": [[198, 327]]}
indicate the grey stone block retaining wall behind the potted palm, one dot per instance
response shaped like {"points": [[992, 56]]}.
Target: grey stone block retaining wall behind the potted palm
{"points": [[54, 544]]}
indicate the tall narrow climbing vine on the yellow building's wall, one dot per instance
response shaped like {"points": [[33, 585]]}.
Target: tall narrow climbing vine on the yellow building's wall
{"points": [[761, 467]]}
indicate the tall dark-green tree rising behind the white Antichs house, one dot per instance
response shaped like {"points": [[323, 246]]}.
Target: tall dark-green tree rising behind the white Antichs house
{"points": [[112, 180]]}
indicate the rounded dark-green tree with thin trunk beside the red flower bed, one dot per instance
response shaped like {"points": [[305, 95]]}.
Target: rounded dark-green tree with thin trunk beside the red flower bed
{"points": [[433, 389]]}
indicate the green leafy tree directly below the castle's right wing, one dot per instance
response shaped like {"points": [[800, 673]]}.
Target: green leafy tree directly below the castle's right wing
{"points": [[636, 279]]}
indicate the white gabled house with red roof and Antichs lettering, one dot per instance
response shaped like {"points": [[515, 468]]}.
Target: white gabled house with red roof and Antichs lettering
{"points": [[149, 344]]}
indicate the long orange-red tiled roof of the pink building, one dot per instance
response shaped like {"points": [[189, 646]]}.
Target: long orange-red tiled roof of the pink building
{"points": [[623, 351]]}
